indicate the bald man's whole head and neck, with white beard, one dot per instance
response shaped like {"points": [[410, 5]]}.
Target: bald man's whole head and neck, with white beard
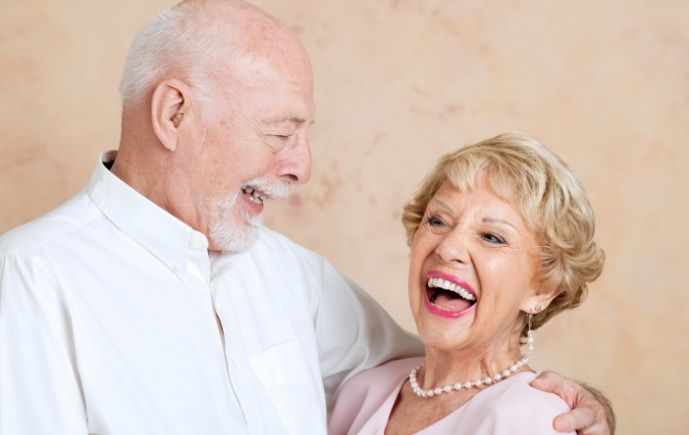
{"points": [[217, 101]]}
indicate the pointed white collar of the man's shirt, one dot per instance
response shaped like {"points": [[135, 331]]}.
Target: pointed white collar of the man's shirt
{"points": [[159, 232]]}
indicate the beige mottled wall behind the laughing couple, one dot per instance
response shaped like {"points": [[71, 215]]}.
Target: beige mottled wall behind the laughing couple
{"points": [[604, 84]]}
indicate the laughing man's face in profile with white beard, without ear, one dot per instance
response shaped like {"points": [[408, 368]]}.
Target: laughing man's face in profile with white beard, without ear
{"points": [[256, 144]]}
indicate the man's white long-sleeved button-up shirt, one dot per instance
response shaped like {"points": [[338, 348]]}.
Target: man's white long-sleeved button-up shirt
{"points": [[114, 319]]}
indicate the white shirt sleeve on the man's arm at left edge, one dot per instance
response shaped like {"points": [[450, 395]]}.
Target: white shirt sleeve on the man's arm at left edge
{"points": [[39, 388]]}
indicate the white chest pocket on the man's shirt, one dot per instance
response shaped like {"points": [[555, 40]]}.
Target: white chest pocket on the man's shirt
{"points": [[284, 373]]}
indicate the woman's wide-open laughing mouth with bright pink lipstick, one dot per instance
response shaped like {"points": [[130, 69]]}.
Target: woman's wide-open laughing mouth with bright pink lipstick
{"points": [[448, 297]]}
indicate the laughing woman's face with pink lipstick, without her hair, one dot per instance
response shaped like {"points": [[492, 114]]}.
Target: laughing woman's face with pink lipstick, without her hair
{"points": [[473, 271]]}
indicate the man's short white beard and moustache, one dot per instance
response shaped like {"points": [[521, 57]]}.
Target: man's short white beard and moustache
{"points": [[237, 234]]}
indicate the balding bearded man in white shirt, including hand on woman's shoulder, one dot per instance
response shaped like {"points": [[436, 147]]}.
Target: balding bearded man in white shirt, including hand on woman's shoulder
{"points": [[153, 302]]}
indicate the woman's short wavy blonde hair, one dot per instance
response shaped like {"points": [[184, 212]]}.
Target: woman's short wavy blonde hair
{"points": [[548, 194]]}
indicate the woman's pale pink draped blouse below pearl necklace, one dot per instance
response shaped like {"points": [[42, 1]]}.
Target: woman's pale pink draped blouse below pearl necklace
{"points": [[509, 407]]}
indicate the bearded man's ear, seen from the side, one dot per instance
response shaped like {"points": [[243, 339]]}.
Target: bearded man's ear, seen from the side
{"points": [[169, 102]]}
